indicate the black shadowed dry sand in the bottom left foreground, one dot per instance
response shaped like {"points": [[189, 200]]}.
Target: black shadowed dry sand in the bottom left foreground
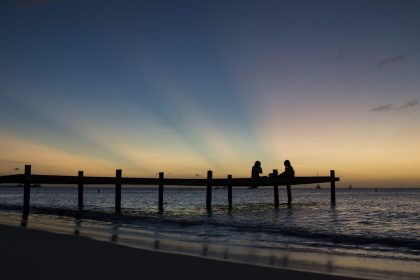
{"points": [[34, 254]]}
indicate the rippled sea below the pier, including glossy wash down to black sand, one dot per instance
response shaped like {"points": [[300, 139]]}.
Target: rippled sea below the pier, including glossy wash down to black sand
{"points": [[368, 233]]}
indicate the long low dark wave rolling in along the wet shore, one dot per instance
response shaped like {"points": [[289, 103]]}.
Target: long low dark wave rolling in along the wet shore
{"points": [[144, 219]]}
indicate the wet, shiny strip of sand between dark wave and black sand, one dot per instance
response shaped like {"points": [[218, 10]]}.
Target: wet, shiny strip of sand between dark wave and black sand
{"points": [[151, 242]]}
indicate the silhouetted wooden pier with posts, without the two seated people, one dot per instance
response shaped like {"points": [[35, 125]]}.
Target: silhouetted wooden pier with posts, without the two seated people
{"points": [[27, 179]]}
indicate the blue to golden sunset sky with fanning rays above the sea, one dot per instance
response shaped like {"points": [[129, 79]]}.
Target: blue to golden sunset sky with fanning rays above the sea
{"points": [[184, 87]]}
